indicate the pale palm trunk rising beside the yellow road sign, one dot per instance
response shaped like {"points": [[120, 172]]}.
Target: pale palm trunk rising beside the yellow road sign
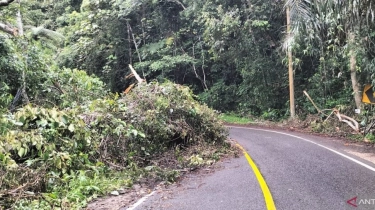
{"points": [[353, 71]]}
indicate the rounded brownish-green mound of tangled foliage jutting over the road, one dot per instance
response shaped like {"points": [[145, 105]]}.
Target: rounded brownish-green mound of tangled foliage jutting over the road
{"points": [[168, 114]]}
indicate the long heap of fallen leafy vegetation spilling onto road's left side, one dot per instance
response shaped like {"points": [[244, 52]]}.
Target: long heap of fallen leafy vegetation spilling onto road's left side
{"points": [[51, 147]]}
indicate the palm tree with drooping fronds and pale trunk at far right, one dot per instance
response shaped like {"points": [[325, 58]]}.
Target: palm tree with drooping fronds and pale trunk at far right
{"points": [[349, 16]]}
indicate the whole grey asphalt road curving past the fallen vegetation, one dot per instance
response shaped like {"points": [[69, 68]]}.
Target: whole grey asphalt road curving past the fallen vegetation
{"points": [[301, 172]]}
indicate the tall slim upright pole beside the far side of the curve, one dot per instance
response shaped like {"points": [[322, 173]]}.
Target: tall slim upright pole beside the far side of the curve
{"points": [[290, 64]]}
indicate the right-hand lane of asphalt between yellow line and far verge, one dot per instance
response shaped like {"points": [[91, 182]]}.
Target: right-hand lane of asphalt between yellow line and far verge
{"points": [[308, 172]]}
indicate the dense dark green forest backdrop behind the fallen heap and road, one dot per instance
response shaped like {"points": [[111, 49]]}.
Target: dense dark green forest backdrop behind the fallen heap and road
{"points": [[229, 52]]}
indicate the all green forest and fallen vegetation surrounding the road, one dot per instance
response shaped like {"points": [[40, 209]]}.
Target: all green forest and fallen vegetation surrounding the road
{"points": [[69, 98]]}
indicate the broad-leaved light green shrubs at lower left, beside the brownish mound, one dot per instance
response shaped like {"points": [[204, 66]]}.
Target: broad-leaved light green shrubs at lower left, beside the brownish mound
{"points": [[47, 146]]}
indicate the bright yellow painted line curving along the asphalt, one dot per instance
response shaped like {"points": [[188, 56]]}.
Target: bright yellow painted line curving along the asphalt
{"points": [[263, 185]]}
